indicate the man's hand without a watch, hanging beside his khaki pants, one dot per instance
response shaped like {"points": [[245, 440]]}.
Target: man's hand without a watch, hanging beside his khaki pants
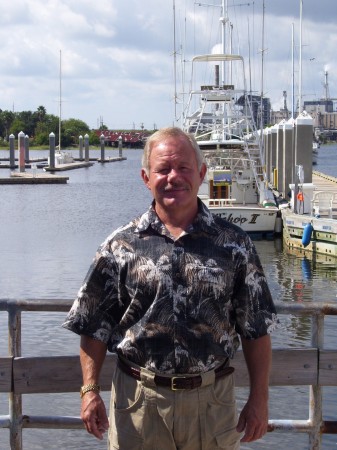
{"points": [[253, 420]]}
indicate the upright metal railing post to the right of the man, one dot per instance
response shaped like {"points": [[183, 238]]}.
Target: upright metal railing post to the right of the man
{"points": [[315, 397]]}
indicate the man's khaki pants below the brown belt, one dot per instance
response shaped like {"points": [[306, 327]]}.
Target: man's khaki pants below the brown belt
{"points": [[144, 416]]}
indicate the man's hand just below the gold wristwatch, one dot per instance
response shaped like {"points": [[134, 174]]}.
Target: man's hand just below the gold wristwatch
{"points": [[93, 414]]}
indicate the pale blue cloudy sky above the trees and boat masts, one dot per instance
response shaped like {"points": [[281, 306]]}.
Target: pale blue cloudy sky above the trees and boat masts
{"points": [[119, 62]]}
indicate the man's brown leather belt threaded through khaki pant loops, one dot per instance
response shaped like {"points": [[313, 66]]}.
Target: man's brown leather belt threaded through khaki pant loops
{"points": [[176, 382]]}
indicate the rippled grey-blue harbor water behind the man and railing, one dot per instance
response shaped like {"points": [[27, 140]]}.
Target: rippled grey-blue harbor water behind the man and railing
{"points": [[49, 234]]}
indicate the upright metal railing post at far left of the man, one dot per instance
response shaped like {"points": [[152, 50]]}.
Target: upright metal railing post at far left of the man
{"points": [[15, 400]]}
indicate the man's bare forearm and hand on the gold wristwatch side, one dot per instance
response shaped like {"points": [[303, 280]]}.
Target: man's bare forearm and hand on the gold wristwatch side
{"points": [[93, 412]]}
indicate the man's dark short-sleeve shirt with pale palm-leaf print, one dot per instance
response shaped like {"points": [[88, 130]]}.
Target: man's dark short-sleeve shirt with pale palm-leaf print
{"points": [[174, 305]]}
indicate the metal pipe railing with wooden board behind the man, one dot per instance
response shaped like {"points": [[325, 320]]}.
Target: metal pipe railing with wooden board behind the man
{"points": [[312, 366]]}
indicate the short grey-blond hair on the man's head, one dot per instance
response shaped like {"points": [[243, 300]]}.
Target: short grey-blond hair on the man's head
{"points": [[163, 133]]}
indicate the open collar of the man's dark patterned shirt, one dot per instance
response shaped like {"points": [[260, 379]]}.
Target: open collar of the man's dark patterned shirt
{"points": [[204, 221]]}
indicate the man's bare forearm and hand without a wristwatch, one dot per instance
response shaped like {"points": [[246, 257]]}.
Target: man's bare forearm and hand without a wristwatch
{"points": [[253, 419]]}
